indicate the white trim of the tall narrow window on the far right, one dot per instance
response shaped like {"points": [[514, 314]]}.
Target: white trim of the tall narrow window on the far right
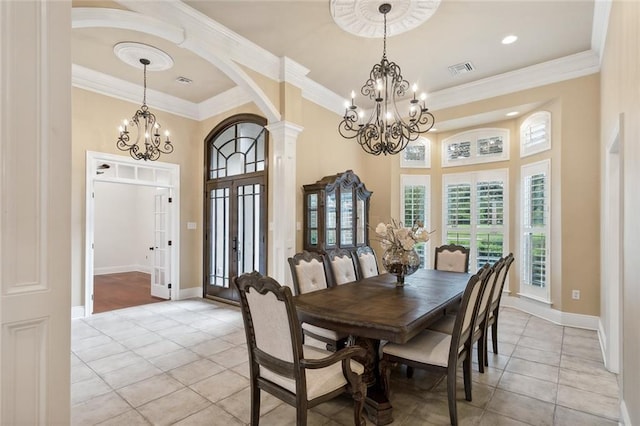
{"points": [[528, 290]]}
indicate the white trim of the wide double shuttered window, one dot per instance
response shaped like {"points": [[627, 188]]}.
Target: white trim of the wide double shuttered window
{"points": [[472, 178]]}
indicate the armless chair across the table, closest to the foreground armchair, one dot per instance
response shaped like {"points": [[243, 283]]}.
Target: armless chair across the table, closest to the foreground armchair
{"points": [[310, 273]]}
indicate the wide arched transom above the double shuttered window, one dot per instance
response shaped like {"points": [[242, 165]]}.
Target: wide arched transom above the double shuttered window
{"points": [[475, 146]]}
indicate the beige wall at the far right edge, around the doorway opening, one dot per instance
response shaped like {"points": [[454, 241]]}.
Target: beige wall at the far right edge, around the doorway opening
{"points": [[620, 95]]}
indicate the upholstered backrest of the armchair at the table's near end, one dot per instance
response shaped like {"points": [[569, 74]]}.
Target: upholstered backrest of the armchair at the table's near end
{"points": [[274, 336]]}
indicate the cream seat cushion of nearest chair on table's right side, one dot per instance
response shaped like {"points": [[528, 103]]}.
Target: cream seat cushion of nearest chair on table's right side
{"points": [[429, 347]]}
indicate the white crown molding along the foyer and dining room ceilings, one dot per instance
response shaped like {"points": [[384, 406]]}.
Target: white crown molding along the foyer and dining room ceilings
{"points": [[230, 48]]}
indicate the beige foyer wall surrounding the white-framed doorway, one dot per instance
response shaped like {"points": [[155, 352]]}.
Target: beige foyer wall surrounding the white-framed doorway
{"points": [[95, 120]]}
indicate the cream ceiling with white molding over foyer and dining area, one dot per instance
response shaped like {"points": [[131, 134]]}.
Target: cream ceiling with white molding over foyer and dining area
{"points": [[556, 40]]}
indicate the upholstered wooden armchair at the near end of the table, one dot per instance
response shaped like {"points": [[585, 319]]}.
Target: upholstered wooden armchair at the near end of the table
{"points": [[300, 375]]}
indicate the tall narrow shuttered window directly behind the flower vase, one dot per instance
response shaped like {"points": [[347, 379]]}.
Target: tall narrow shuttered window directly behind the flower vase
{"points": [[415, 191]]}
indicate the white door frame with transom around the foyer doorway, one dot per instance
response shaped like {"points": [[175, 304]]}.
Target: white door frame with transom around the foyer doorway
{"points": [[152, 177]]}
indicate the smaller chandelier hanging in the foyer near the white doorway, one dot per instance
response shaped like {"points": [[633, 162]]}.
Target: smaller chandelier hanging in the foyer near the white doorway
{"points": [[147, 127]]}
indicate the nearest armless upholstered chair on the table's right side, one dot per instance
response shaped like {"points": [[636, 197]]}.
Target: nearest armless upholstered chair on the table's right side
{"points": [[442, 352]]}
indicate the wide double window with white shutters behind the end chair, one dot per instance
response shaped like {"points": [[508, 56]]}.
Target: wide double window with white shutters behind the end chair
{"points": [[475, 214]]}
